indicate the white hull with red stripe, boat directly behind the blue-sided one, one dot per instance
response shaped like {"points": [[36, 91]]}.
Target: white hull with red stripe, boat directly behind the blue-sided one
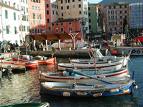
{"points": [[61, 77]]}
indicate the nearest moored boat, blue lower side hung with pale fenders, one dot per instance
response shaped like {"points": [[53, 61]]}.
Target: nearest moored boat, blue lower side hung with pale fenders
{"points": [[86, 90]]}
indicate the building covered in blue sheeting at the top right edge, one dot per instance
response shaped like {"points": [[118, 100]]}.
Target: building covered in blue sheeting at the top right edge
{"points": [[136, 15]]}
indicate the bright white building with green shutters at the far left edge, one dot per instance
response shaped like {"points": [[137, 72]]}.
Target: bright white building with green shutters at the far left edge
{"points": [[9, 29]]}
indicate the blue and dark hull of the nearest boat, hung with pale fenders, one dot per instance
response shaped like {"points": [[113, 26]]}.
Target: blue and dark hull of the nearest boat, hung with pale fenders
{"points": [[82, 92]]}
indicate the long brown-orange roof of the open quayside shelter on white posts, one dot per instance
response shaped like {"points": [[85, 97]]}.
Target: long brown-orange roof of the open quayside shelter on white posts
{"points": [[51, 36]]}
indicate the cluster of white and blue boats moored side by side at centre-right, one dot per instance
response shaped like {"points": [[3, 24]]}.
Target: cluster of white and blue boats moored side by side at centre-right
{"points": [[98, 76]]}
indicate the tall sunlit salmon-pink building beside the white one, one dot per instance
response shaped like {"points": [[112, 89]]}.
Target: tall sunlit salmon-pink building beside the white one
{"points": [[37, 17]]}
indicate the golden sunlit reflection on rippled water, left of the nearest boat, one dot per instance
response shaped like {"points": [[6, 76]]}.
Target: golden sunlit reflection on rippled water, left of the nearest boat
{"points": [[20, 88]]}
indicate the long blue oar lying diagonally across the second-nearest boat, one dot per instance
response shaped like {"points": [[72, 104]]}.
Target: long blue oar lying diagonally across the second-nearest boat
{"points": [[83, 74]]}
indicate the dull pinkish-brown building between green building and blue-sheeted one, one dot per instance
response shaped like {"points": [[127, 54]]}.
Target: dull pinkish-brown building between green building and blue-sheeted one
{"points": [[114, 17]]}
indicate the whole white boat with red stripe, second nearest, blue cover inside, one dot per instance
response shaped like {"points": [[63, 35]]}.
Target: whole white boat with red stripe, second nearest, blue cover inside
{"points": [[83, 76]]}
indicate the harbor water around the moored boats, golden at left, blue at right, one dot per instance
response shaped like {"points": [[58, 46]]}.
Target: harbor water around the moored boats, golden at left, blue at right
{"points": [[24, 88]]}
